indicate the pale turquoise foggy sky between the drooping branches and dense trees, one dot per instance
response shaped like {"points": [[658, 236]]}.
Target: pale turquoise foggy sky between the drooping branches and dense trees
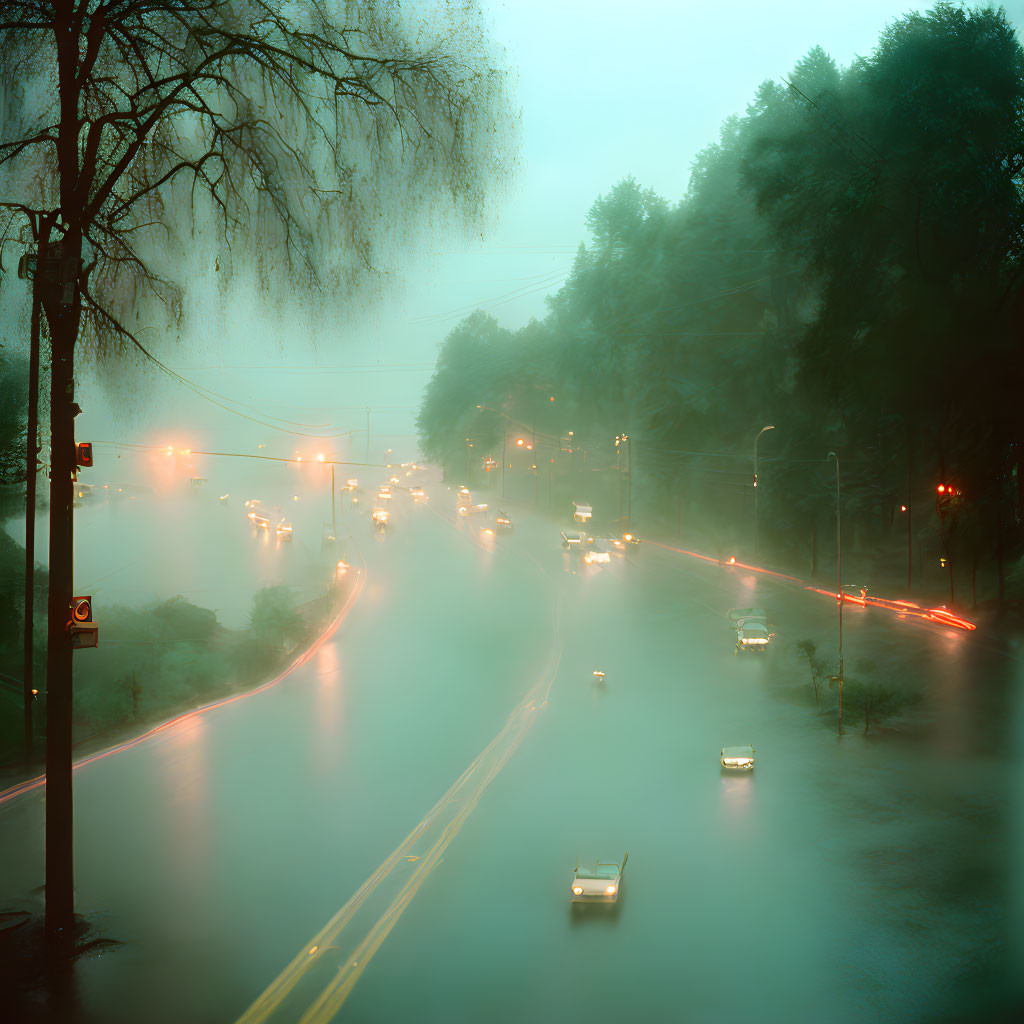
{"points": [[607, 90]]}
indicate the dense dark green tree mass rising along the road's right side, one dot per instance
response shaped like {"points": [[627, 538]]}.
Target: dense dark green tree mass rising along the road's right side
{"points": [[847, 267]]}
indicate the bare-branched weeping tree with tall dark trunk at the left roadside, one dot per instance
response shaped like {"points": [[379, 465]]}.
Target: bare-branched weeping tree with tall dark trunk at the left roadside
{"points": [[306, 136]]}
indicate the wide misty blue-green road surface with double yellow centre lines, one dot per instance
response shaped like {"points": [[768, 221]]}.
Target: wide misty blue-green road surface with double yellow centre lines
{"points": [[854, 880]]}
